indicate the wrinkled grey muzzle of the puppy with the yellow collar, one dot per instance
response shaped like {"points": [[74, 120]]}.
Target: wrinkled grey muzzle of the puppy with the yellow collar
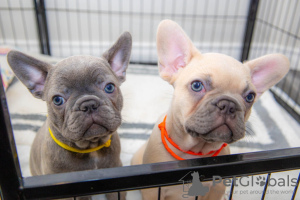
{"points": [[90, 119]]}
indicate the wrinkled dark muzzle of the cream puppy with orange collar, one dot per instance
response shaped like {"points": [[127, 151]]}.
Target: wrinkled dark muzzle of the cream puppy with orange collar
{"points": [[224, 123]]}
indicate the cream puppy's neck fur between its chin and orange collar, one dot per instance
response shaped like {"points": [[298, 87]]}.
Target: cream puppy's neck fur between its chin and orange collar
{"points": [[185, 141]]}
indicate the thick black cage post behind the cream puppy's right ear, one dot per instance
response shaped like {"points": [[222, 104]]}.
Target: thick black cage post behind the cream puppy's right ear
{"points": [[251, 19]]}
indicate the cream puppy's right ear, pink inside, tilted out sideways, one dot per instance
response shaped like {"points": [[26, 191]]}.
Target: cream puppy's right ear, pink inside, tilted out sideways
{"points": [[268, 70]]}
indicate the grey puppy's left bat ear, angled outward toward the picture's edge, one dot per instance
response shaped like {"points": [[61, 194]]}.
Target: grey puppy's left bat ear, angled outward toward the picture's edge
{"points": [[30, 71]]}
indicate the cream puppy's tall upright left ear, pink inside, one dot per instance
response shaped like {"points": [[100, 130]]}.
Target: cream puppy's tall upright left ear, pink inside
{"points": [[174, 49]]}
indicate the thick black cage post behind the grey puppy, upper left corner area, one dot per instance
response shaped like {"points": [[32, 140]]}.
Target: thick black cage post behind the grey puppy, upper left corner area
{"points": [[41, 18]]}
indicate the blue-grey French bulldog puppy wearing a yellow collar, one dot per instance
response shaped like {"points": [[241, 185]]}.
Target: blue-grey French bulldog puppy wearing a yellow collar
{"points": [[84, 104]]}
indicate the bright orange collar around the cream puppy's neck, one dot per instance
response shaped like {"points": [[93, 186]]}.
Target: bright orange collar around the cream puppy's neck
{"points": [[164, 134]]}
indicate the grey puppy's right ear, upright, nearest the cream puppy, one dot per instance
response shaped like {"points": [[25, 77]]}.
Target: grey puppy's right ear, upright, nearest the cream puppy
{"points": [[119, 54]]}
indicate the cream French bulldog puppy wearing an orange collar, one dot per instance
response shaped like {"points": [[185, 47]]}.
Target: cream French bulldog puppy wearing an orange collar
{"points": [[213, 96]]}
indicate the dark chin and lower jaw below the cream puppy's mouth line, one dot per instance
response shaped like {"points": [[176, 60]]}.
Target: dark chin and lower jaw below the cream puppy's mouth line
{"points": [[221, 133]]}
